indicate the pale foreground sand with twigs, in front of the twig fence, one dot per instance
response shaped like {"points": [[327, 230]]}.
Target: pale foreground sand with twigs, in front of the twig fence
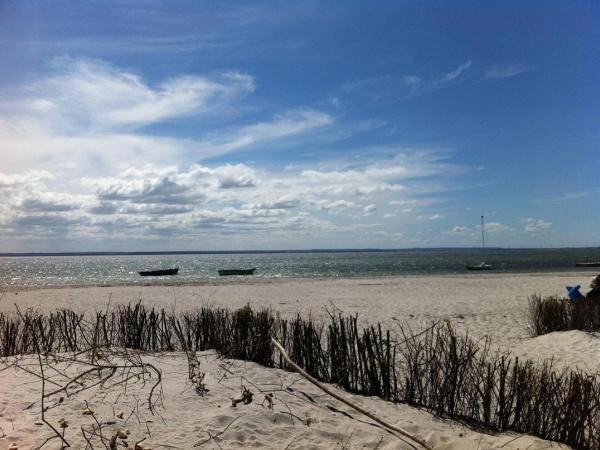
{"points": [[185, 418]]}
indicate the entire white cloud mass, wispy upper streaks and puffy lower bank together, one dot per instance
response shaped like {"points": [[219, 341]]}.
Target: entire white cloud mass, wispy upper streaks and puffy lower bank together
{"points": [[80, 163]]}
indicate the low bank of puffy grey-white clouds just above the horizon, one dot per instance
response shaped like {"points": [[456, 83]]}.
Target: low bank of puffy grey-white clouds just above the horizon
{"points": [[168, 201]]}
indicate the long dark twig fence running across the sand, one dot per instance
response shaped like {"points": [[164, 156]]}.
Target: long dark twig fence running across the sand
{"points": [[450, 375]]}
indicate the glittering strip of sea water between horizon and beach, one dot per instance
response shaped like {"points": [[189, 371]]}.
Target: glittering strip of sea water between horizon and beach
{"points": [[123, 269]]}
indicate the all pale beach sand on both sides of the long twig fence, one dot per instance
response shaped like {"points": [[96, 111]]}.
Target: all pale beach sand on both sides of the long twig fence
{"points": [[493, 305]]}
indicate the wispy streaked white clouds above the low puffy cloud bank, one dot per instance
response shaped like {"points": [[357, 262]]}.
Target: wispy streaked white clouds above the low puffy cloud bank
{"points": [[88, 116]]}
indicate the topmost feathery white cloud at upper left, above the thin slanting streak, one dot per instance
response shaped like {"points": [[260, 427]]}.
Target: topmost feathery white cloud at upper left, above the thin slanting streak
{"points": [[98, 96]]}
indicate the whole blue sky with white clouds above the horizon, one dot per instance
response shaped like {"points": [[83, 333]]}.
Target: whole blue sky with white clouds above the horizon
{"points": [[143, 125]]}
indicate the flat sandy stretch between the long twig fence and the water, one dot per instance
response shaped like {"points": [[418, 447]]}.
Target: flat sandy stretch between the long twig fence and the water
{"points": [[489, 304]]}
